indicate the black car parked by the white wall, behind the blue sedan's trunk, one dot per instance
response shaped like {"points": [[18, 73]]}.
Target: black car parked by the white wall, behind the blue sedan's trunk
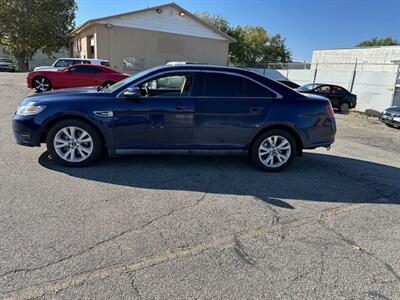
{"points": [[340, 98]]}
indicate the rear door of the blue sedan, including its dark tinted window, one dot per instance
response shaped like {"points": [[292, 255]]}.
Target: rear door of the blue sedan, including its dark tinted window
{"points": [[230, 109]]}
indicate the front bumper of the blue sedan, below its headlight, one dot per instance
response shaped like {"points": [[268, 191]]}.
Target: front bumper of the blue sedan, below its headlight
{"points": [[26, 131]]}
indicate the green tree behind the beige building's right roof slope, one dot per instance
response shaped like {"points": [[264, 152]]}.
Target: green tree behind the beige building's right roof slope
{"points": [[254, 46]]}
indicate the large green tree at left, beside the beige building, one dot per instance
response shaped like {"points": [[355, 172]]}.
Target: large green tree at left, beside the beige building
{"points": [[29, 25]]}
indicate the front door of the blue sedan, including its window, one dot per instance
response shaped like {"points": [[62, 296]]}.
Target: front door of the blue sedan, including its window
{"points": [[161, 118]]}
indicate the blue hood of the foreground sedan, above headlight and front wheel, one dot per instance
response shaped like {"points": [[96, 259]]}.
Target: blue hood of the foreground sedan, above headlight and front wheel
{"points": [[56, 95]]}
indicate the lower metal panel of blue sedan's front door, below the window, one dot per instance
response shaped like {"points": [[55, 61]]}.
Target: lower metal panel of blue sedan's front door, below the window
{"points": [[158, 122]]}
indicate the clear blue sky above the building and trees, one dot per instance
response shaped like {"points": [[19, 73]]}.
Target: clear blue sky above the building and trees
{"points": [[305, 24]]}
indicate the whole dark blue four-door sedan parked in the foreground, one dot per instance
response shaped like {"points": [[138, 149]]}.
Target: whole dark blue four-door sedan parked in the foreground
{"points": [[187, 108]]}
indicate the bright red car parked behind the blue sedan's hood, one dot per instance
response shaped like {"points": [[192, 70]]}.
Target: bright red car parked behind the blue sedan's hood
{"points": [[73, 76]]}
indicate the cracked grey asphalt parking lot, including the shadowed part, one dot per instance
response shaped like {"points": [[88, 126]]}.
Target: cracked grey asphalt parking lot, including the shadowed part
{"points": [[186, 227]]}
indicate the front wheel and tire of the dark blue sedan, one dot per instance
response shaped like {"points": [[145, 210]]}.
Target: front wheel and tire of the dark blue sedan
{"points": [[74, 143]]}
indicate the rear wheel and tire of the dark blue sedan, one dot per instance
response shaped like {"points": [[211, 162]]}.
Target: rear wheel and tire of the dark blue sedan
{"points": [[285, 149]]}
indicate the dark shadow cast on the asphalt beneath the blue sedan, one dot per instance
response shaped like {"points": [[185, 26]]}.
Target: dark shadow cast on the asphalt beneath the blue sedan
{"points": [[313, 177]]}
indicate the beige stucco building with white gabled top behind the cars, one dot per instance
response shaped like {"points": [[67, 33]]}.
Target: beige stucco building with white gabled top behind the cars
{"points": [[154, 36]]}
